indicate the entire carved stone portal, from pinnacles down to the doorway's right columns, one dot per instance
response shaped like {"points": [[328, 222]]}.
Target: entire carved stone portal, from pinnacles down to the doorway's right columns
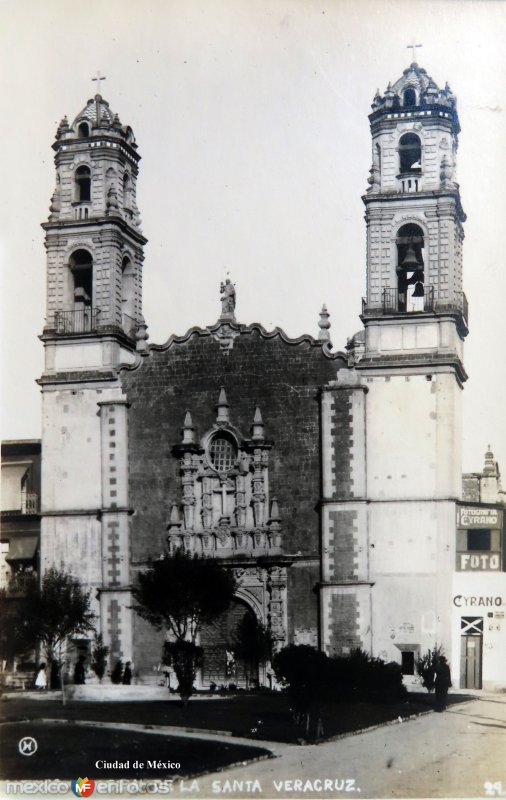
{"points": [[225, 511]]}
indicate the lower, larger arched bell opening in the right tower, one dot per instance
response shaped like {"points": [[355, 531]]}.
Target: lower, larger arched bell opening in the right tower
{"points": [[410, 268]]}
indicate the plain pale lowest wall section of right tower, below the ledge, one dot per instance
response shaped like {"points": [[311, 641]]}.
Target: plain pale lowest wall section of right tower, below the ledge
{"points": [[412, 555]]}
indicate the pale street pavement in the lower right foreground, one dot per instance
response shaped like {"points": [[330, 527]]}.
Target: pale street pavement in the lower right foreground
{"points": [[459, 753]]}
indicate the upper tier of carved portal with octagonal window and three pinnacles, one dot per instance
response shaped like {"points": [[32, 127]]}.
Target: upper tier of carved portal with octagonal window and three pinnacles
{"points": [[225, 508]]}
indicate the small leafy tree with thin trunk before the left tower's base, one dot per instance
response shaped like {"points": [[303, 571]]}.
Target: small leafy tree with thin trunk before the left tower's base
{"points": [[56, 610]]}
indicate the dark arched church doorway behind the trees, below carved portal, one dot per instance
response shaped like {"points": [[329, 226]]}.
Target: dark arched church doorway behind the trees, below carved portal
{"points": [[218, 640]]}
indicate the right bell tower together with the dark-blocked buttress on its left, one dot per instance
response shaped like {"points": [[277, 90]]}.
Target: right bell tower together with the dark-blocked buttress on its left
{"points": [[397, 412]]}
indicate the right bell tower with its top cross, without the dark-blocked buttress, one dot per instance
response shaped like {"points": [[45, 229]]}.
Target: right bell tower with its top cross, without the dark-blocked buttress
{"points": [[415, 318]]}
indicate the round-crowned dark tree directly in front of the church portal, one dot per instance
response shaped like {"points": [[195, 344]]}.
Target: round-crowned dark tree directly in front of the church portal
{"points": [[179, 593]]}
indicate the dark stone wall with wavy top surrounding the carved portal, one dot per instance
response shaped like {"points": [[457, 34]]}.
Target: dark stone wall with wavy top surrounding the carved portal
{"points": [[281, 378]]}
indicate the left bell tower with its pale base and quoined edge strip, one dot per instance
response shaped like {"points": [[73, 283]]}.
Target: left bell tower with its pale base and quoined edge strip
{"points": [[94, 325]]}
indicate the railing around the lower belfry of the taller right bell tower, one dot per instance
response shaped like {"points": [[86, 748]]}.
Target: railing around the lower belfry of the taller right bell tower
{"points": [[393, 301]]}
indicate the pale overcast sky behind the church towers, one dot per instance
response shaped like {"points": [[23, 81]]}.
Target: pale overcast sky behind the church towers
{"points": [[251, 119]]}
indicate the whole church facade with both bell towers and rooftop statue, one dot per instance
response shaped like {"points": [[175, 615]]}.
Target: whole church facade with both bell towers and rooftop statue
{"points": [[329, 482]]}
